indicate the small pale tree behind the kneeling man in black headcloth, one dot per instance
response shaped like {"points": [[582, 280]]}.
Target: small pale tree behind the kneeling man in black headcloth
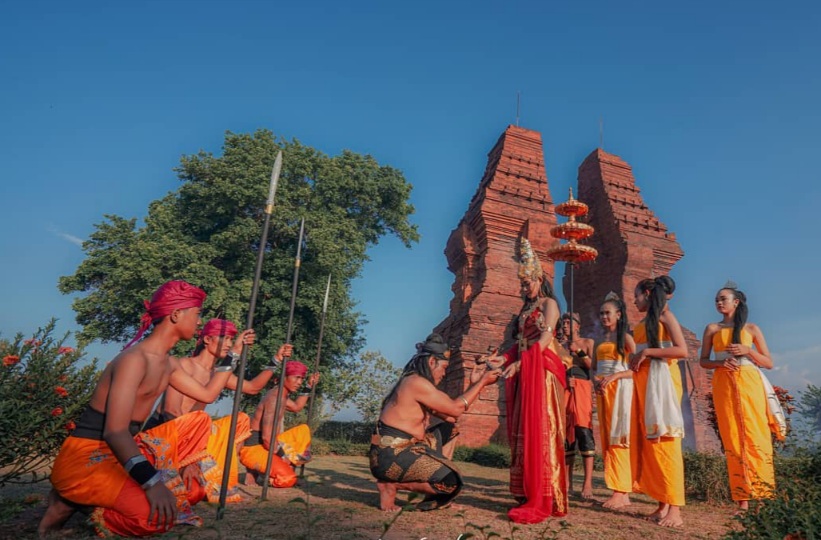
{"points": [[365, 381]]}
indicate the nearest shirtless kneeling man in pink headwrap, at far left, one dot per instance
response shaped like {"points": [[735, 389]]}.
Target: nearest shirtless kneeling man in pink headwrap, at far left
{"points": [[106, 462]]}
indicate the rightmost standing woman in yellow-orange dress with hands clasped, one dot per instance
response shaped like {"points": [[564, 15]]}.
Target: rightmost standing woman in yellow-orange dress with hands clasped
{"points": [[740, 395]]}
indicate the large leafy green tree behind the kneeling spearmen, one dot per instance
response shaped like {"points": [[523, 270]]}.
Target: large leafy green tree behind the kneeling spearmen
{"points": [[207, 232]]}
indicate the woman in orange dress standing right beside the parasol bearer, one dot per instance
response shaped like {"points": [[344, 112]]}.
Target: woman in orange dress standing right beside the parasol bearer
{"points": [[614, 396]]}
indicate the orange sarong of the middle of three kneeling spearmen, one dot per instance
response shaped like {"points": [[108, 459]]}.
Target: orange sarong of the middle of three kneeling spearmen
{"points": [[217, 449]]}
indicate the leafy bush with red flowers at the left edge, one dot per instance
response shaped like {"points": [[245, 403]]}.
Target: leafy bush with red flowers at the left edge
{"points": [[43, 390]]}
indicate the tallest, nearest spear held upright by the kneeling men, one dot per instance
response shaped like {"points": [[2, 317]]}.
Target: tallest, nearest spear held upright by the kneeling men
{"points": [[232, 430]]}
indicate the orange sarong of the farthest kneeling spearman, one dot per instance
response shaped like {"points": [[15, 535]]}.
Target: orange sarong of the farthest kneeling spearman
{"points": [[294, 445]]}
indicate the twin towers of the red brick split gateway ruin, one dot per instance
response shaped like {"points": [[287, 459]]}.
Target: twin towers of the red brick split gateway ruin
{"points": [[513, 198]]}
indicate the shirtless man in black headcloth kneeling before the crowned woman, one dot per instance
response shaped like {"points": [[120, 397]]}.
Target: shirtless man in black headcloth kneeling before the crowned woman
{"points": [[403, 436]]}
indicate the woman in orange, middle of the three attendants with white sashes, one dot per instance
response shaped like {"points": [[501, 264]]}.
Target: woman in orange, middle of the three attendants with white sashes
{"points": [[657, 426]]}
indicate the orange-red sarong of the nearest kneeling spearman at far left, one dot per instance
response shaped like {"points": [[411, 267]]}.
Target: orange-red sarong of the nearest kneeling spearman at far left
{"points": [[86, 472]]}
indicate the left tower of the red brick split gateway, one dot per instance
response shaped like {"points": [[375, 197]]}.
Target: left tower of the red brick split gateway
{"points": [[512, 198]]}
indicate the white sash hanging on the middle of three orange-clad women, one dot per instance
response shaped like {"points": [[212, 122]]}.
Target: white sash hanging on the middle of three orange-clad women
{"points": [[662, 411]]}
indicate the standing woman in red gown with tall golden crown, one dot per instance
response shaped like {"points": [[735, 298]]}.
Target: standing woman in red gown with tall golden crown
{"points": [[534, 393]]}
